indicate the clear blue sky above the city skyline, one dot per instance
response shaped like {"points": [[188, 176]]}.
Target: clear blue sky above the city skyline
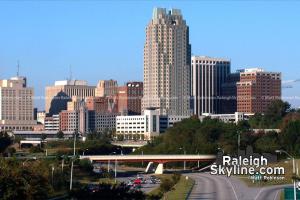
{"points": [[104, 39]]}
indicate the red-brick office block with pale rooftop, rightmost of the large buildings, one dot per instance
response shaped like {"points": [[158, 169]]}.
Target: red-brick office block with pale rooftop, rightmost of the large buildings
{"points": [[257, 89]]}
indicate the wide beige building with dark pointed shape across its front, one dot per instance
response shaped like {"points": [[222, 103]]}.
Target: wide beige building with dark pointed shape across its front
{"points": [[62, 92]]}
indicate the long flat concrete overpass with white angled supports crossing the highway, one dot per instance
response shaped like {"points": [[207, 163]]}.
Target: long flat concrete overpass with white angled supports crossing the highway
{"points": [[160, 159]]}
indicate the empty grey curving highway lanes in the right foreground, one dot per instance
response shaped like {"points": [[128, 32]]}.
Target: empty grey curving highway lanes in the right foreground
{"points": [[223, 188]]}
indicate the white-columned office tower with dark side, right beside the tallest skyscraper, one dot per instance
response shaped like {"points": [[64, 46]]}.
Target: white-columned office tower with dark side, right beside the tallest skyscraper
{"points": [[208, 75]]}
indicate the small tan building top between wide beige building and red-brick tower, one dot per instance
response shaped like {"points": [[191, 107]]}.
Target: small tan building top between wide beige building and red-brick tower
{"points": [[106, 88]]}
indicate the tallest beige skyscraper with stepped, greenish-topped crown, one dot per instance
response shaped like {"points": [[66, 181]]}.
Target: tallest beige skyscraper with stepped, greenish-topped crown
{"points": [[167, 59]]}
